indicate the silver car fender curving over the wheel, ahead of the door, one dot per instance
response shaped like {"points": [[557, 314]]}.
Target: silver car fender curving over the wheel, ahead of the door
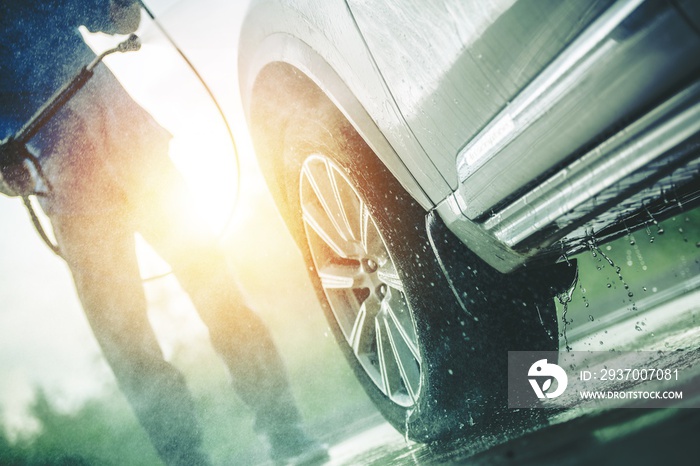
{"points": [[301, 34]]}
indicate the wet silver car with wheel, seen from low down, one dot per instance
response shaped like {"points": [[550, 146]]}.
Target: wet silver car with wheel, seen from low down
{"points": [[438, 163]]}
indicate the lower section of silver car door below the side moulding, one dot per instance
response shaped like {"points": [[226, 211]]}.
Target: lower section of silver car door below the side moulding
{"points": [[631, 70]]}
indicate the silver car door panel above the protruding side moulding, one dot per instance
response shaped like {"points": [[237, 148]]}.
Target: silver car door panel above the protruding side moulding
{"points": [[453, 67]]}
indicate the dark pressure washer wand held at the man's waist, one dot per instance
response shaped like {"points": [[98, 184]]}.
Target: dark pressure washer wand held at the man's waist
{"points": [[68, 90]]}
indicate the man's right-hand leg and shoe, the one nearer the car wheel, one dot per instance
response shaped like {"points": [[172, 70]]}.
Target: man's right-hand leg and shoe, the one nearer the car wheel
{"points": [[237, 333]]}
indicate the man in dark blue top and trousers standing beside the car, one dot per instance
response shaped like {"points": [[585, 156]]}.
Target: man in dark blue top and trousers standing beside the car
{"points": [[108, 175]]}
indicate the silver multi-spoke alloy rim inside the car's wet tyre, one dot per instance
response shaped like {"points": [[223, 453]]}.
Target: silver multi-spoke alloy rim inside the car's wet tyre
{"points": [[360, 280]]}
